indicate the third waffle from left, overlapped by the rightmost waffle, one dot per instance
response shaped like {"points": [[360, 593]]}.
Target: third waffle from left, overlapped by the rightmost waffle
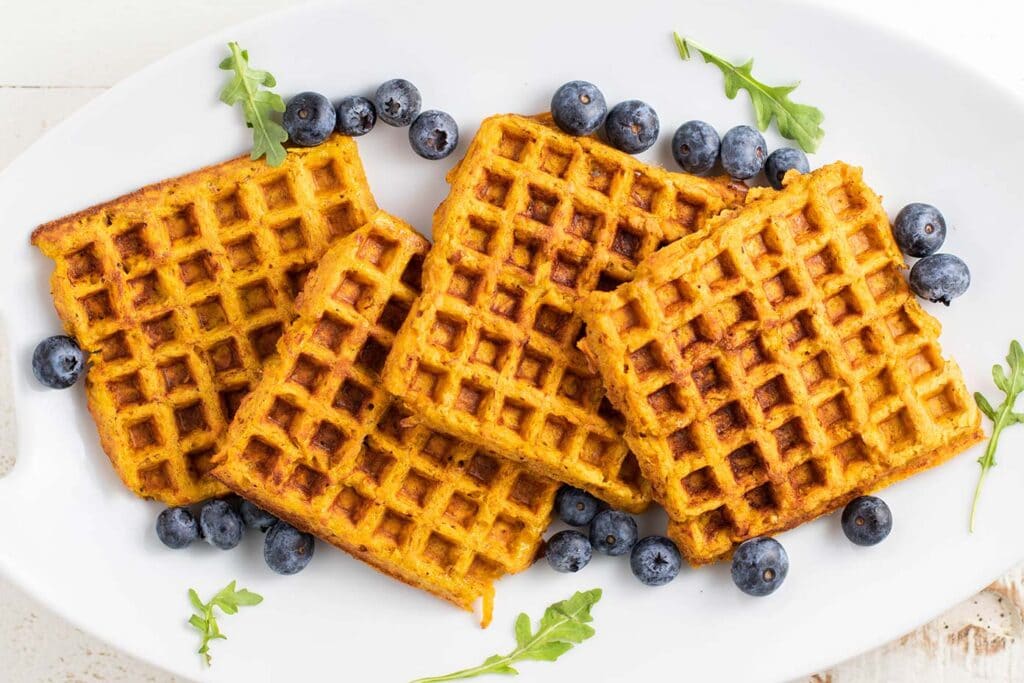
{"points": [[535, 221]]}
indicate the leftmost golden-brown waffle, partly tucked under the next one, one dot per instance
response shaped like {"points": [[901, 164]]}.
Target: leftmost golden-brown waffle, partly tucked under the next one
{"points": [[180, 292]]}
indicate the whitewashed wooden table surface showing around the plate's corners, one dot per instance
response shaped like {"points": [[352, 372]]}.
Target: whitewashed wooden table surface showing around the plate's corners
{"points": [[58, 55]]}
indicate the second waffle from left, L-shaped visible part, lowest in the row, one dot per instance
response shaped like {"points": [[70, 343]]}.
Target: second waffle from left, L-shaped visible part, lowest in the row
{"points": [[320, 443]]}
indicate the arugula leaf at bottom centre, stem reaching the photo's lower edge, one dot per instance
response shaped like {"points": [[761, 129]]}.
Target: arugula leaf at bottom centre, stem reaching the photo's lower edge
{"points": [[564, 626]]}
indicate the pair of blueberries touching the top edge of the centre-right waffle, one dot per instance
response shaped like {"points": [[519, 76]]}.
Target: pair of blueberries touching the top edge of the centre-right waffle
{"points": [[579, 108]]}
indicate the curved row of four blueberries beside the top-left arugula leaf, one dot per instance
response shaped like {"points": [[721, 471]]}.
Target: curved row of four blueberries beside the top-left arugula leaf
{"points": [[310, 118]]}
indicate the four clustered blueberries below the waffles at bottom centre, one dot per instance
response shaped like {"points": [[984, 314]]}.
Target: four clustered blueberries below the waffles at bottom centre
{"points": [[655, 560]]}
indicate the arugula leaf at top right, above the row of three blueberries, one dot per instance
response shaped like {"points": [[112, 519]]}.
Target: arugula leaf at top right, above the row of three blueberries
{"points": [[796, 122]]}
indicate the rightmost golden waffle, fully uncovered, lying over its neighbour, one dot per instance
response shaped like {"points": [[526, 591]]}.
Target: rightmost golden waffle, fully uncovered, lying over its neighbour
{"points": [[781, 368]]}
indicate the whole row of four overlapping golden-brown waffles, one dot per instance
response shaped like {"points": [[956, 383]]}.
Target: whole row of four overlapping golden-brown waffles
{"points": [[416, 406]]}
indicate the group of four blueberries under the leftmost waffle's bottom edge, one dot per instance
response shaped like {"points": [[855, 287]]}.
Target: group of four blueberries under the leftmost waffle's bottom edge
{"points": [[223, 524]]}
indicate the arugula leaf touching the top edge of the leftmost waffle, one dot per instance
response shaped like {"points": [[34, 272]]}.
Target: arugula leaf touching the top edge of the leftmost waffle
{"points": [[259, 105]]}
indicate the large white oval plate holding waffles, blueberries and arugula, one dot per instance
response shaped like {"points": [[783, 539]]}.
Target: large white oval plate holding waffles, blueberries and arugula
{"points": [[924, 129]]}
